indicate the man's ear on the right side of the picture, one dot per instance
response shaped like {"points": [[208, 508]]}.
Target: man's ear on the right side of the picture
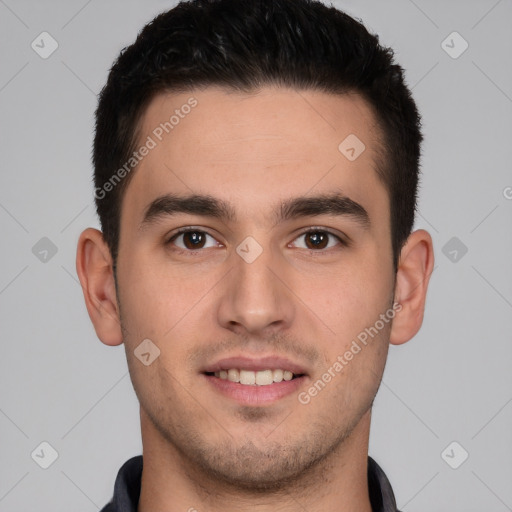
{"points": [[415, 266]]}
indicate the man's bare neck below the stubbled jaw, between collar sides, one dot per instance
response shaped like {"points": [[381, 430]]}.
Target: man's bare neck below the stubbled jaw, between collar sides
{"points": [[171, 483]]}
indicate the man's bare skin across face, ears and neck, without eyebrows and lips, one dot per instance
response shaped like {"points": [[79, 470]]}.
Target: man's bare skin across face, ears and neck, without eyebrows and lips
{"points": [[201, 449]]}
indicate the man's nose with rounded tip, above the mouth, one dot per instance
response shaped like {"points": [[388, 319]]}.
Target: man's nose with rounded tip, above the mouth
{"points": [[256, 299]]}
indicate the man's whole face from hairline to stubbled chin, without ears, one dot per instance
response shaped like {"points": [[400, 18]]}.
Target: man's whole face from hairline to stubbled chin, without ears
{"points": [[277, 262]]}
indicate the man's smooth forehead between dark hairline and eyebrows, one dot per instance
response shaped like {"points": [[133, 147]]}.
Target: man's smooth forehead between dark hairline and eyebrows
{"points": [[250, 148]]}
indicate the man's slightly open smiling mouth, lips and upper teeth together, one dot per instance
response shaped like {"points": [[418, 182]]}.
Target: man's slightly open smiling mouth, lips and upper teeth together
{"points": [[255, 381]]}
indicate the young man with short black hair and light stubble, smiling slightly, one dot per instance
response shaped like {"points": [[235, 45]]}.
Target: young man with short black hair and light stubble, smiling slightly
{"points": [[256, 168]]}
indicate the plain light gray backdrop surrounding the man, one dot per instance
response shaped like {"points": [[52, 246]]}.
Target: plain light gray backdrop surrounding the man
{"points": [[453, 382]]}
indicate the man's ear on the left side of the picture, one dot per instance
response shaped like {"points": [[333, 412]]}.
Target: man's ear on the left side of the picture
{"points": [[94, 269]]}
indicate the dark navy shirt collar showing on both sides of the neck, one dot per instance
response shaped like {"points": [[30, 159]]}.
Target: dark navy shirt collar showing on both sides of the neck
{"points": [[127, 488]]}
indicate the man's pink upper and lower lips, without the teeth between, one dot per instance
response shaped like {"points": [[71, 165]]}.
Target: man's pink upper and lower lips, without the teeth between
{"points": [[255, 395]]}
